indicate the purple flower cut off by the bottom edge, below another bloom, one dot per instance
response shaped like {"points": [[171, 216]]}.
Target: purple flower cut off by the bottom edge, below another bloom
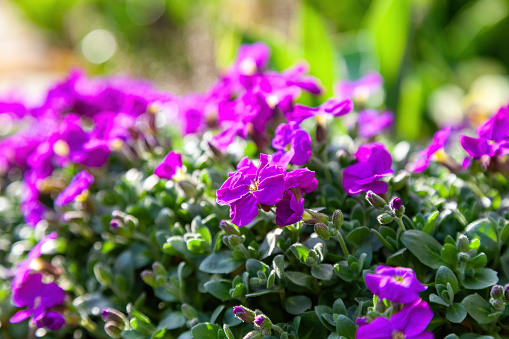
{"points": [[409, 323]]}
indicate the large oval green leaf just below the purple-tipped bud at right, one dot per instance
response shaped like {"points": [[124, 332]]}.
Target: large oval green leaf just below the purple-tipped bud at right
{"points": [[426, 248]]}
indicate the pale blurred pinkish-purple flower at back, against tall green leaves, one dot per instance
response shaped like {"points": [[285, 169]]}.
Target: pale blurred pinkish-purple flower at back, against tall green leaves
{"points": [[362, 88]]}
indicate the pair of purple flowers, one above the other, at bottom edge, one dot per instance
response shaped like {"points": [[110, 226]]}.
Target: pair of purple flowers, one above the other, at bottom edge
{"points": [[397, 285]]}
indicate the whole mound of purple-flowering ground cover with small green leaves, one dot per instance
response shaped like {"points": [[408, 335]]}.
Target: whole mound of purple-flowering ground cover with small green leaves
{"points": [[248, 211]]}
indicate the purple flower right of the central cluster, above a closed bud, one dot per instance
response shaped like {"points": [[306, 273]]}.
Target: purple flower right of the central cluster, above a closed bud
{"points": [[374, 162]]}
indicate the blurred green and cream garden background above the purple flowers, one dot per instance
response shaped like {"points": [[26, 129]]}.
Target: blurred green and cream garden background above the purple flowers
{"points": [[444, 62]]}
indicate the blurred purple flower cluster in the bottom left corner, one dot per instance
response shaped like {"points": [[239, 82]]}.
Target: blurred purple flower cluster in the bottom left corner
{"points": [[30, 290]]}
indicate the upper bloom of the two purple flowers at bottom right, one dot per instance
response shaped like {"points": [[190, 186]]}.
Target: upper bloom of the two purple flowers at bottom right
{"points": [[395, 284]]}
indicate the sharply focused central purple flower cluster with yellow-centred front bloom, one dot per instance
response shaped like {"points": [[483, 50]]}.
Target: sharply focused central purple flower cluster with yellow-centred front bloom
{"points": [[250, 188]]}
